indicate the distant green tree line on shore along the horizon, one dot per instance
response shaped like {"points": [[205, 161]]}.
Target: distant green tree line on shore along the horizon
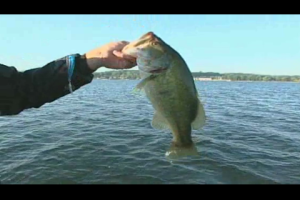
{"points": [[134, 74]]}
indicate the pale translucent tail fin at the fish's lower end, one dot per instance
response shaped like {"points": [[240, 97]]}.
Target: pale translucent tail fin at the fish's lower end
{"points": [[176, 151]]}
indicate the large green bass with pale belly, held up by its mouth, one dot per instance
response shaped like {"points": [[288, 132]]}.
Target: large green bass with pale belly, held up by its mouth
{"points": [[169, 85]]}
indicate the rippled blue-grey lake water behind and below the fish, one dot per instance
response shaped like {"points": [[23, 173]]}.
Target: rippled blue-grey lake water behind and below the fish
{"points": [[102, 134]]}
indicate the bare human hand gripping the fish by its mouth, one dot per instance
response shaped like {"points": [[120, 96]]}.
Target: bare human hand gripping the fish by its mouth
{"points": [[110, 56]]}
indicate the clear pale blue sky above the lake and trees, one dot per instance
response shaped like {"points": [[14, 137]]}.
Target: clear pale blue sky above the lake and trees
{"points": [[260, 44]]}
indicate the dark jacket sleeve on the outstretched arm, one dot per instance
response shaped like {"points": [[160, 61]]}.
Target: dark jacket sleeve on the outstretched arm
{"points": [[35, 87]]}
